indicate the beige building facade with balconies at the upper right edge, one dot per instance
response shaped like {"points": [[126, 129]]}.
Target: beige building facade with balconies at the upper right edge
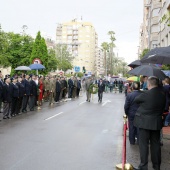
{"points": [[155, 29]]}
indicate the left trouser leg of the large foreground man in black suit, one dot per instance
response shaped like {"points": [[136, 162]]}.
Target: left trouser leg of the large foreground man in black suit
{"points": [[144, 136]]}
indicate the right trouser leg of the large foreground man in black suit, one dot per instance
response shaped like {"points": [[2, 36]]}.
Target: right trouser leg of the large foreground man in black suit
{"points": [[155, 149]]}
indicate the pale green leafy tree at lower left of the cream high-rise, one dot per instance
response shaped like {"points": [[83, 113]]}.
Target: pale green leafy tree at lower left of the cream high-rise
{"points": [[64, 58]]}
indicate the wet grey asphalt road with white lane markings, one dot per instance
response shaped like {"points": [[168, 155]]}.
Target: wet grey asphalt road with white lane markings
{"points": [[75, 135]]}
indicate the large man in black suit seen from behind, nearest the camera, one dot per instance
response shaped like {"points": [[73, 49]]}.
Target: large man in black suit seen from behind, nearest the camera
{"points": [[148, 119]]}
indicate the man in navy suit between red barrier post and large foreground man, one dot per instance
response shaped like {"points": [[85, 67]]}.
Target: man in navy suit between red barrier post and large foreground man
{"points": [[130, 108]]}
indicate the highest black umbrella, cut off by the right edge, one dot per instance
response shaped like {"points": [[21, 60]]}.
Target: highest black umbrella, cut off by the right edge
{"points": [[159, 55]]}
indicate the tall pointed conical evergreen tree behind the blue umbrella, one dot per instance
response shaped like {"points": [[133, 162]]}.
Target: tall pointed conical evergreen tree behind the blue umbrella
{"points": [[40, 51]]}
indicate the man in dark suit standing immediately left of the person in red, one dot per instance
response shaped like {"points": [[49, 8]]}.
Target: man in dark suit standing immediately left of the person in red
{"points": [[33, 93]]}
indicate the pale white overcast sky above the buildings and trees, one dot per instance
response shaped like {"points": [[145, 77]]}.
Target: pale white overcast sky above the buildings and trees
{"points": [[122, 16]]}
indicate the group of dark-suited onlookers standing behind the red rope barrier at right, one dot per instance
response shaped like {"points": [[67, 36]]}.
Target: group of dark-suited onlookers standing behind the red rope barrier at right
{"points": [[147, 108]]}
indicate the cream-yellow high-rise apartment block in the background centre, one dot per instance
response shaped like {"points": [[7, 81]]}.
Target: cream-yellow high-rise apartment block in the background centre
{"points": [[81, 40]]}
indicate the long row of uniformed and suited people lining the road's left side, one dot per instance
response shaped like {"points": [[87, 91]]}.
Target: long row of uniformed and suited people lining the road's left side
{"points": [[20, 93]]}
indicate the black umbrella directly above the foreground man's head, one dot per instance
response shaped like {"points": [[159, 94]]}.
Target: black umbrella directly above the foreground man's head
{"points": [[147, 70]]}
